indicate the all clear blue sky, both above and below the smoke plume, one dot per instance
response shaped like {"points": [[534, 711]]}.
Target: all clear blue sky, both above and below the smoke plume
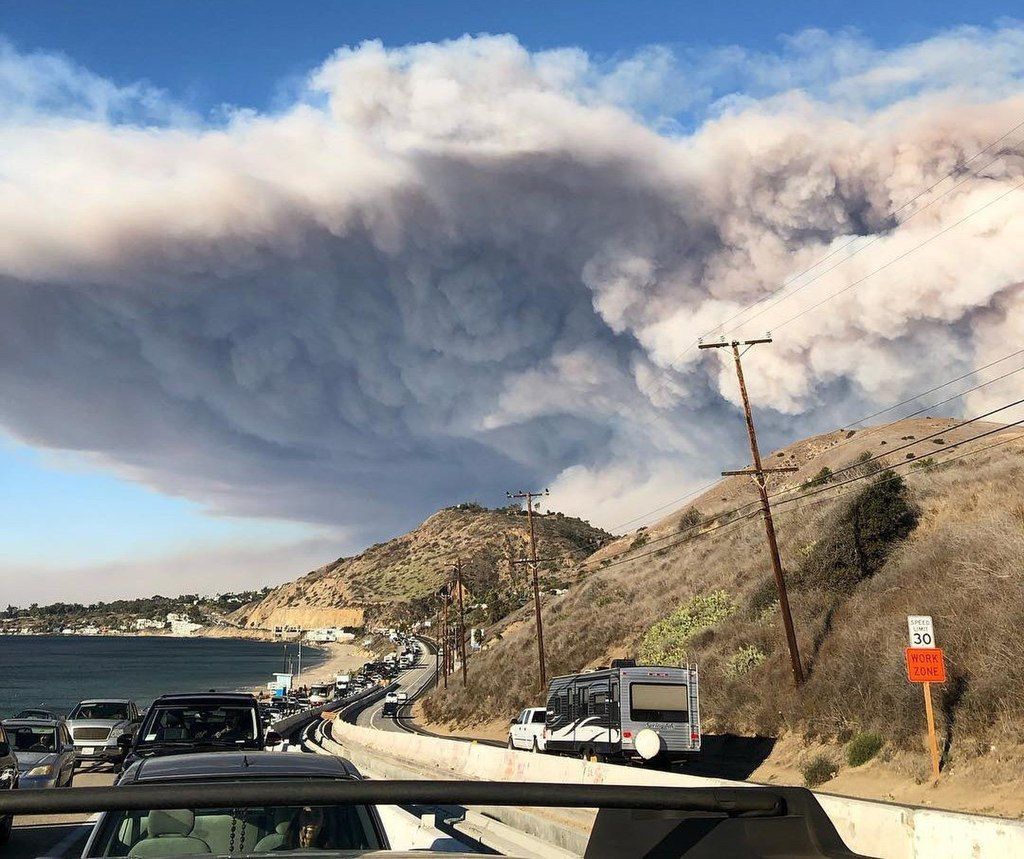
{"points": [[64, 516]]}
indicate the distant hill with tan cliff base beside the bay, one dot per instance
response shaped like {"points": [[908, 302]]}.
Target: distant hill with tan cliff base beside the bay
{"points": [[397, 580]]}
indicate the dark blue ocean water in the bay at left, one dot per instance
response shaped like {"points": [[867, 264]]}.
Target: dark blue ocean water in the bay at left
{"points": [[58, 672]]}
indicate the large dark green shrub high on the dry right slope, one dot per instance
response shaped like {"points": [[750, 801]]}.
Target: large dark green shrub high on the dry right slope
{"points": [[861, 537]]}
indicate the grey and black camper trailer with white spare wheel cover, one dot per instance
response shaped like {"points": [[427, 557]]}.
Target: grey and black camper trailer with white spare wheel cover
{"points": [[629, 712]]}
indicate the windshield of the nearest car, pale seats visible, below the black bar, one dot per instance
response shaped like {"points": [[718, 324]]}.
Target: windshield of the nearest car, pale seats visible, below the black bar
{"points": [[243, 832]]}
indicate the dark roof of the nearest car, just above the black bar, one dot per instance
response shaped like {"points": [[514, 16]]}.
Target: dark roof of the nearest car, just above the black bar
{"points": [[215, 765]]}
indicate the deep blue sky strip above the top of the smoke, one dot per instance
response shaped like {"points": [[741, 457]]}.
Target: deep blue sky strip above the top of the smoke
{"points": [[206, 54]]}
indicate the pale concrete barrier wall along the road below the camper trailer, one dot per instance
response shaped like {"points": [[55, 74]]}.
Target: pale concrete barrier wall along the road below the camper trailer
{"points": [[870, 828]]}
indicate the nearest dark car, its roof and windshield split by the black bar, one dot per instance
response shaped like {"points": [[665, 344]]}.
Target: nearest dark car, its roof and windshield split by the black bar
{"points": [[222, 832]]}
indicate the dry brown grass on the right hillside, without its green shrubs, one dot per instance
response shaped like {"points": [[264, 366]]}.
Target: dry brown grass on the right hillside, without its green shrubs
{"points": [[964, 565]]}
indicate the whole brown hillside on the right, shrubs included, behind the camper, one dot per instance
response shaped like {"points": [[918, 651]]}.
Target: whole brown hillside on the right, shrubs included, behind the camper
{"points": [[943, 536]]}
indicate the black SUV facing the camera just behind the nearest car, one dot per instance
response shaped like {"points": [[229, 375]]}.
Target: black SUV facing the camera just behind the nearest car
{"points": [[200, 722]]}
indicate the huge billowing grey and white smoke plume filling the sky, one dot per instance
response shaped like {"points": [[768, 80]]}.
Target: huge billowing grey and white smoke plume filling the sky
{"points": [[452, 270]]}
